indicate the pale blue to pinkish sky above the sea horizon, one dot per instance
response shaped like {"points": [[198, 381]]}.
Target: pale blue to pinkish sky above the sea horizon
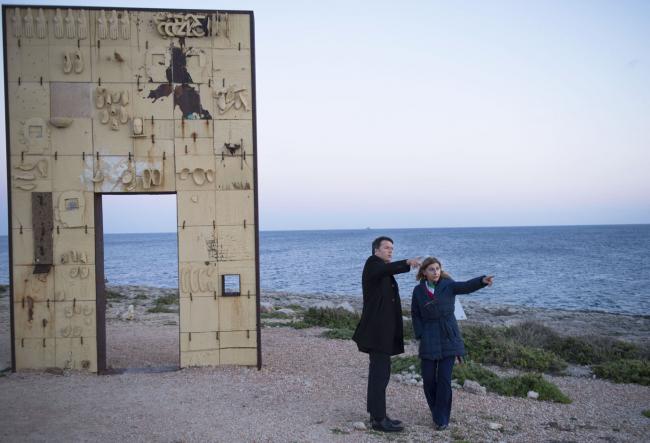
{"points": [[438, 114]]}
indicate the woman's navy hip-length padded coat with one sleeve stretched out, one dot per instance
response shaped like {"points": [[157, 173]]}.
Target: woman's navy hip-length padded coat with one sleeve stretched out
{"points": [[434, 322]]}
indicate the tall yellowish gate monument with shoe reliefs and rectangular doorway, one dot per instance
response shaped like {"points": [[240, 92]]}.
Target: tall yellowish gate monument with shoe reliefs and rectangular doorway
{"points": [[128, 101]]}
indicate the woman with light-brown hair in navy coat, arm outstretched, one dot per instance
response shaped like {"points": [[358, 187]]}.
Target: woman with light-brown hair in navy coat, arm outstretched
{"points": [[435, 326]]}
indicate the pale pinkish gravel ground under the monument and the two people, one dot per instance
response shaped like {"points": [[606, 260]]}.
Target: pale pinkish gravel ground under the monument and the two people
{"points": [[309, 389]]}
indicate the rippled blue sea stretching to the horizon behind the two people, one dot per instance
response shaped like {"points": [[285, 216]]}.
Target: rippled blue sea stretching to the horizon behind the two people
{"points": [[605, 268]]}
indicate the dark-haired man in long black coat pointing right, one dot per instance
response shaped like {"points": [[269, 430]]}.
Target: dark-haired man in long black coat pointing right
{"points": [[380, 331]]}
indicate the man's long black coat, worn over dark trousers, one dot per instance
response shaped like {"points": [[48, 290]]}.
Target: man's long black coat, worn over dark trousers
{"points": [[380, 328]]}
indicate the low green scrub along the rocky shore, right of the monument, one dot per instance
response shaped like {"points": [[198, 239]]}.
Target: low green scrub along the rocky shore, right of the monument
{"points": [[528, 346]]}
